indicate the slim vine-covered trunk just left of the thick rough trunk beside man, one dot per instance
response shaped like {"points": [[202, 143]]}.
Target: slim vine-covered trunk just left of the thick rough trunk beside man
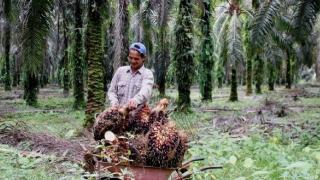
{"points": [[78, 60]]}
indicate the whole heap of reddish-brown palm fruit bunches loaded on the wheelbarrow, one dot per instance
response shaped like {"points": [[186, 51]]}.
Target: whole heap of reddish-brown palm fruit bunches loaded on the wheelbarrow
{"points": [[152, 139]]}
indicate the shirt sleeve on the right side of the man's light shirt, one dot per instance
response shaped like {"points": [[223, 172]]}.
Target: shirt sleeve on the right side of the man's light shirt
{"points": [[146, 89]]}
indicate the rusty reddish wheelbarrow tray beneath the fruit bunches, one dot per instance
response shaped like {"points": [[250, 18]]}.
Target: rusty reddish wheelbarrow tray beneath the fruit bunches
{"points": [[139, 172]]}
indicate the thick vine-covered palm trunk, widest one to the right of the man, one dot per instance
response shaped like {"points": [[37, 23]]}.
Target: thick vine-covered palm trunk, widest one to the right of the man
{"points": [[183, 56]]}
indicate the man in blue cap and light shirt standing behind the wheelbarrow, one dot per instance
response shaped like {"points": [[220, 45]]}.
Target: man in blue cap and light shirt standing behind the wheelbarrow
{"points": [[131, 85]]}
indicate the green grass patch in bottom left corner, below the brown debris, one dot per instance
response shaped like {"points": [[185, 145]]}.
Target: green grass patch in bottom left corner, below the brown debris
{"points": [[15, 164]]}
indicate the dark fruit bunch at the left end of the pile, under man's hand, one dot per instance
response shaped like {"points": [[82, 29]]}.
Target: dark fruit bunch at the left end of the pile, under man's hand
{"points": [[111, 120]]}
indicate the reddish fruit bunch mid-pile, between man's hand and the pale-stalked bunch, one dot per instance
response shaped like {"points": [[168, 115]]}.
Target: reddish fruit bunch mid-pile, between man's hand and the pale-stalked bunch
{"points": [[139, 119]]}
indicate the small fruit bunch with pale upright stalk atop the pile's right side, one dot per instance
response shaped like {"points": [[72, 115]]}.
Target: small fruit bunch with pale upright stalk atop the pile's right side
{"points": [[159, 113]]}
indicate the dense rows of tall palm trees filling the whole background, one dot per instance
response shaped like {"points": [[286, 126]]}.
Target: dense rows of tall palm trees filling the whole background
{"points": [[80, 44]]}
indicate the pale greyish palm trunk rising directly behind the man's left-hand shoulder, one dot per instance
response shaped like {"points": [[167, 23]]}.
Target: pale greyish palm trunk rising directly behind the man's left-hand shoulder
{"points": [[121, 34]]}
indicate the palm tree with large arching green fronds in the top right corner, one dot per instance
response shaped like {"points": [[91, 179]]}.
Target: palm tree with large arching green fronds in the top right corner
{"points": [[288, 23]]}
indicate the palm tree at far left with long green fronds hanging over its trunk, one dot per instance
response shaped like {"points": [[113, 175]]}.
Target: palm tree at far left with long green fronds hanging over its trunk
{"points": [[35, 29]]}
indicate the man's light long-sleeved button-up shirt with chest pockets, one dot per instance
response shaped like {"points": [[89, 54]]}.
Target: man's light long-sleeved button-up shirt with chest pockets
{"points": [[126, 85]]}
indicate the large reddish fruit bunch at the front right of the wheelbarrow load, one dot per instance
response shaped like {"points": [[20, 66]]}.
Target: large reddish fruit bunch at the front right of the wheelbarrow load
{"points": [[163, 140]]}
